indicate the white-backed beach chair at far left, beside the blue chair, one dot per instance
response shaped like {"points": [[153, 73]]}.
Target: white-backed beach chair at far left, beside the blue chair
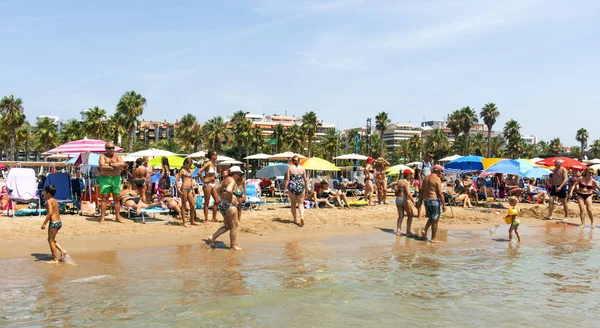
{"points": [[21, 186]]}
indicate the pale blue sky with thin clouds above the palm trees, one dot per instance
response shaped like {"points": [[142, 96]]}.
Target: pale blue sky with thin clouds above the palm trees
{"points": [[346, 60]]}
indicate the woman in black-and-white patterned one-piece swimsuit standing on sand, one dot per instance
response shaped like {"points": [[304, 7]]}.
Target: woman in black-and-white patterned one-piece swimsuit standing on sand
{"points": [[296, 183]]}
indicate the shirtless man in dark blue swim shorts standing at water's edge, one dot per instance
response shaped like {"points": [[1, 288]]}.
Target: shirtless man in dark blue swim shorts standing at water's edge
{"points": [[432, 197]]}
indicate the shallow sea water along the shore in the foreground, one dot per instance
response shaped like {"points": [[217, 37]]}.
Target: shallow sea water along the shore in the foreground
{"points": [[474, 278]]}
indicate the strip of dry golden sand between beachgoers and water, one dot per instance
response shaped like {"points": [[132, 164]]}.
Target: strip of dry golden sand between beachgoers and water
{"points": [[22, 236]]}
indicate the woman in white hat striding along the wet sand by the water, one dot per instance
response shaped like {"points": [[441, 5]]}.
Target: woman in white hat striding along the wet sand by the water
{"points": [[227, 206]]}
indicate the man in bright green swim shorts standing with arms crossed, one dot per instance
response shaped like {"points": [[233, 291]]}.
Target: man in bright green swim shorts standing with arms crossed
{"points": [[109, 179]]}
